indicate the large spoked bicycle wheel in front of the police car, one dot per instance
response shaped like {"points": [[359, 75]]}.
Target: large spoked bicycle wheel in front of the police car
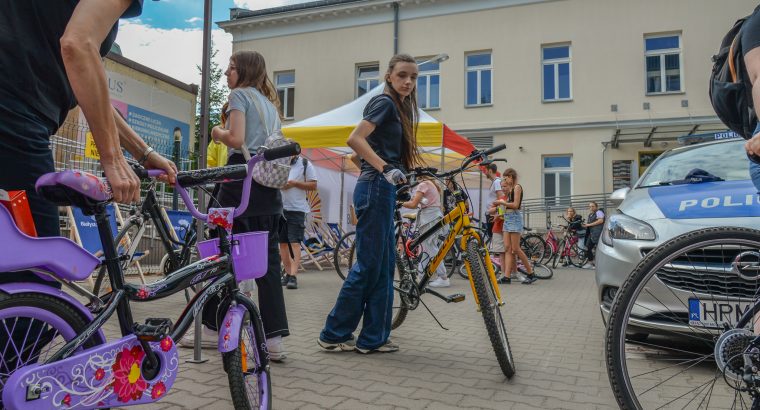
{"points": [[676, 257]]}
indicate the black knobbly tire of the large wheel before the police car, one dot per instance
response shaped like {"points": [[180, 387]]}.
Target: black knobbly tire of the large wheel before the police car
{"points": [[614, 354]]}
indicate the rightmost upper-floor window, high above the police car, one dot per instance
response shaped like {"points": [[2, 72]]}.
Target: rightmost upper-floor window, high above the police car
{"points": [[663, 63]]}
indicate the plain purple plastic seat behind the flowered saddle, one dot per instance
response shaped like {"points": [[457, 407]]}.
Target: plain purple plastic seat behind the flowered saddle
{"points": [[58, 255]]}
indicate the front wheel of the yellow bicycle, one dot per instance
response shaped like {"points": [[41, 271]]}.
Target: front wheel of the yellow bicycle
{"points": [[490, 309]]}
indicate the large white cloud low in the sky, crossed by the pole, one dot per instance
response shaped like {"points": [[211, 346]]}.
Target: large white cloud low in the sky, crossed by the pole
{"points": [[174, 52]]}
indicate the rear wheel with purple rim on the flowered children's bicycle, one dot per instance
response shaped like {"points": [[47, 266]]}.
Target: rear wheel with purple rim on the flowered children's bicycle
{"points": [[32, 328]]}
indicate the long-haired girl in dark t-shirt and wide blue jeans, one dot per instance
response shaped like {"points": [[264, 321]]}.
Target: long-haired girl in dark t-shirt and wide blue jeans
{"points": [[386, 142]]}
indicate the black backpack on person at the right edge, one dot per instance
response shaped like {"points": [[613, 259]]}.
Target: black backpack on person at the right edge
{"points": [[730, 87]]}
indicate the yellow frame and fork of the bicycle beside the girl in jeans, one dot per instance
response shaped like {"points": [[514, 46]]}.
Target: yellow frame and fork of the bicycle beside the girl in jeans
{"points": [[459, 222]]}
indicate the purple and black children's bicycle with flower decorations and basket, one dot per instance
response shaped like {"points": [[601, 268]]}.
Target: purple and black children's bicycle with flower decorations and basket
{"points": [[53, 353]]}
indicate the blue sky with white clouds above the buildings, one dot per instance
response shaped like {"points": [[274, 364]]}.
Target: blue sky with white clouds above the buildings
{"points": [[168, 36]]}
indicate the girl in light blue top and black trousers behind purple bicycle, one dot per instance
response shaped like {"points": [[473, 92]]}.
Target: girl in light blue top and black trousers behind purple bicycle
{"points": [[252, 99]]}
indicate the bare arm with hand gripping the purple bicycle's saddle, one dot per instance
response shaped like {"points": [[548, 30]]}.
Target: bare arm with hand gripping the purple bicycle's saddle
{"points": [[89, 25]]}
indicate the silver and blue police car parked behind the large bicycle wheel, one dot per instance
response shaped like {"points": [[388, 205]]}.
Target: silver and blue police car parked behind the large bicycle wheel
{"points": [[685, 189]]}
